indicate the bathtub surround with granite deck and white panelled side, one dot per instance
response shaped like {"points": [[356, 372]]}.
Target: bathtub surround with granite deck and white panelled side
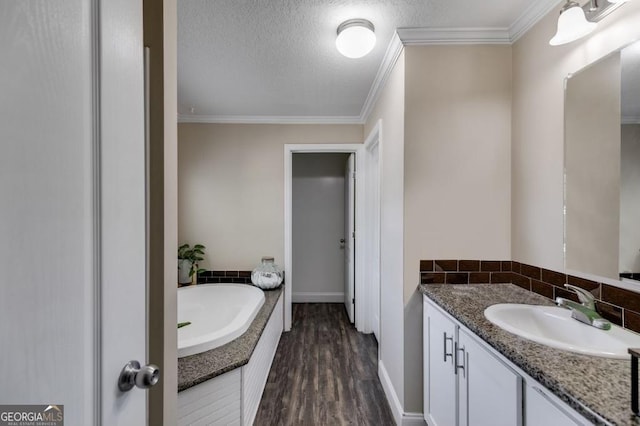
{"points": [[224, 385]]}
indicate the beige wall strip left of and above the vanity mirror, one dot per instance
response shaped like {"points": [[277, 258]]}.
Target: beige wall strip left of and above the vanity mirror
{"points": [[539, 71]]}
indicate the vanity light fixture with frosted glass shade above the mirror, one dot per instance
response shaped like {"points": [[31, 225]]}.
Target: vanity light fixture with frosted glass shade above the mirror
{"points": [[577, 21]]}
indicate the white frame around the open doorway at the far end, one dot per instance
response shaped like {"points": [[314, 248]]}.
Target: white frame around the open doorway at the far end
{"points": [[289, 150]]}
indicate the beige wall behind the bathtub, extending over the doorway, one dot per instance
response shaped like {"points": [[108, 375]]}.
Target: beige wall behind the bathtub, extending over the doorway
{"points": [[231, 187]]}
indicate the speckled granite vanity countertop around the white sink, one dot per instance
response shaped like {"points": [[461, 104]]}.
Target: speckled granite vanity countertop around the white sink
{"points": [[597, 388]]}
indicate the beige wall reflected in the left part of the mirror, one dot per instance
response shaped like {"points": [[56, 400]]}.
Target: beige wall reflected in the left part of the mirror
{"points": [[592, 167]]}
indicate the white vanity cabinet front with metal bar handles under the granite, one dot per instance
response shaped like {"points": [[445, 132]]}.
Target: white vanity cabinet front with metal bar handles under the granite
{"points": [[467, 383]]}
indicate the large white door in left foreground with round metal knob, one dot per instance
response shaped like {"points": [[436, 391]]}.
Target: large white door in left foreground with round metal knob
{"points": [[72, 206]]}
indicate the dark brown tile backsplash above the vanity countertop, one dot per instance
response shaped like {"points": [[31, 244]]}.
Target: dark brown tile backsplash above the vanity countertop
{"points": [[618, 305]]}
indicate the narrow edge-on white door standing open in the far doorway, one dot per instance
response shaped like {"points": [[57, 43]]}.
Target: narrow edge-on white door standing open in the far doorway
{"points": [[349, 236]]}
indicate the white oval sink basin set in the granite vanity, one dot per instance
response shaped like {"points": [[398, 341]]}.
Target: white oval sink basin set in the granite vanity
{"points": [[553, 326]]}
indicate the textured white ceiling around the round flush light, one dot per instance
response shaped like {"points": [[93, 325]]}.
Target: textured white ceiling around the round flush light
{"points": [[277, 58]]}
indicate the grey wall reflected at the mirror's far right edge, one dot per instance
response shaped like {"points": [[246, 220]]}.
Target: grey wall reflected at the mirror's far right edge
{"points": [[630, 199]]}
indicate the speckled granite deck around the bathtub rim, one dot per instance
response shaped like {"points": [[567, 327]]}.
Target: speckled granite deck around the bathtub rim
{"points": [[198, 368]]}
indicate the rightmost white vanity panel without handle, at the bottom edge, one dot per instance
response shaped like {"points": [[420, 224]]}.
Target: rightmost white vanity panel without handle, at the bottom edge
{"points": [[540, 410]]}
